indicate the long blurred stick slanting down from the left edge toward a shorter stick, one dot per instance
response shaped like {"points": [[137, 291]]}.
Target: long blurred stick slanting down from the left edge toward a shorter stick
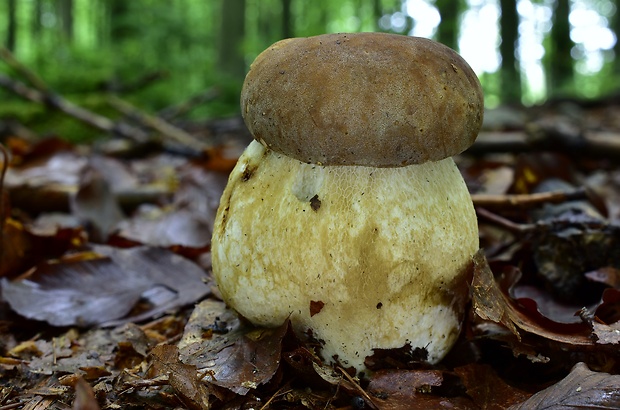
{"points": [[77, 112]]}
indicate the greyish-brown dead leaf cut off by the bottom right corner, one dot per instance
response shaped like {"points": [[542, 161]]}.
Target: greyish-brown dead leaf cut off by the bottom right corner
{"points": [[581, 389]]}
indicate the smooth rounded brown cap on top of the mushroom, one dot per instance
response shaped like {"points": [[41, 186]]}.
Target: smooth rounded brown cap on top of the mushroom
{"points": [[370, 99]]}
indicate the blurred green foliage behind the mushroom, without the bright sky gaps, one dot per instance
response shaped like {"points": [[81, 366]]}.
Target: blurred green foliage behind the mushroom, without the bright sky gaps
{"points": [[85, 49]]}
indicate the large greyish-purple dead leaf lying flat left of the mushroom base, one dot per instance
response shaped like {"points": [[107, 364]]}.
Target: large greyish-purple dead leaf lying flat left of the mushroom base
{"points": [[105, 289]]}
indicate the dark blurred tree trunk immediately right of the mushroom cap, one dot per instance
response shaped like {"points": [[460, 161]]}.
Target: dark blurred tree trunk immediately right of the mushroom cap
{"points": [[509, 33]]}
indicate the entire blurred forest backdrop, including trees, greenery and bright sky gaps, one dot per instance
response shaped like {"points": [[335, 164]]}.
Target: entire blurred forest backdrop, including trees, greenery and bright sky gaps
{"points": [[156, 54]]}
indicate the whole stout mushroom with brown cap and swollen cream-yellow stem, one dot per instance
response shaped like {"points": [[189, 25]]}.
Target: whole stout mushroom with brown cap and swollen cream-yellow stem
{"points": [[348, 214]]}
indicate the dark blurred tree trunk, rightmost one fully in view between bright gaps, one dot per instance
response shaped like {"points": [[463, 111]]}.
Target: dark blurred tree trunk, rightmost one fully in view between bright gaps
{"points": [[558, 59]]}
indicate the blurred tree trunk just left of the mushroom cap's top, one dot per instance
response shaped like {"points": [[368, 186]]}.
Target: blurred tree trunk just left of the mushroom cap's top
{"points": [[232, 30]]}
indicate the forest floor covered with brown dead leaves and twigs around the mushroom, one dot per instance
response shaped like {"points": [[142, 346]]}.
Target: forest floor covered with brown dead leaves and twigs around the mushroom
{"points": [[107, 298]]}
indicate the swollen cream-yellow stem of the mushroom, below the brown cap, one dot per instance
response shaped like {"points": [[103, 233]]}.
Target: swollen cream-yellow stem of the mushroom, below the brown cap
{"points": [[364, 258]]}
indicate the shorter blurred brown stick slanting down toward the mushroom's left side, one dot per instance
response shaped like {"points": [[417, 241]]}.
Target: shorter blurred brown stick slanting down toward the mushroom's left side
{"points": [[158, 124]]}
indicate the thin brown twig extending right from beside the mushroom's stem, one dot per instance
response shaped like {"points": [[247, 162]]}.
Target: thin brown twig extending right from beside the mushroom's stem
{"points": [[527, 200]]}
